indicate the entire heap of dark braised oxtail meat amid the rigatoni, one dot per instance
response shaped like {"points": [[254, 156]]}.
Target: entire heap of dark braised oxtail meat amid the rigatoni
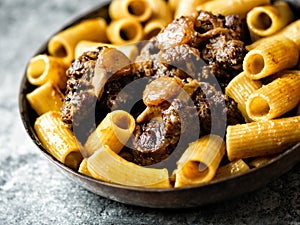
{"points": [[197, 54]]}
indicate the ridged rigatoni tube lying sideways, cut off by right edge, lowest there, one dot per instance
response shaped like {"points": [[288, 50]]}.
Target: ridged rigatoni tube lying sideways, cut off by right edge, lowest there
{"points": [[262, 138]]}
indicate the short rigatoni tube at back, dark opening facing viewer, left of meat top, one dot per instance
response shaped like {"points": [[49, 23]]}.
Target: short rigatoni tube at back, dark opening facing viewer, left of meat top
{"points": [[125, 31]]}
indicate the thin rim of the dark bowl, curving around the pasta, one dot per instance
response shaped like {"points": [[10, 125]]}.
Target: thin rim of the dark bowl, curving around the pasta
{"points": [[24, 110]]}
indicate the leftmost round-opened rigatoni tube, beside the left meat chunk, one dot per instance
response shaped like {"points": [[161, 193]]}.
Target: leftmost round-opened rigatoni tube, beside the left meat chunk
{"points": [[43, 68]]}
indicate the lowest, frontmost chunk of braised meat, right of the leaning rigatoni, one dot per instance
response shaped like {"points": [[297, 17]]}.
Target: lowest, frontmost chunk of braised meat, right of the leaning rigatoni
{"points": [[155, 139]]}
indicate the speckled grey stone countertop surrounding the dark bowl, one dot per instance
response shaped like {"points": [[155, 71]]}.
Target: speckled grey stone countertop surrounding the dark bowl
{"points": [[33, 191]]}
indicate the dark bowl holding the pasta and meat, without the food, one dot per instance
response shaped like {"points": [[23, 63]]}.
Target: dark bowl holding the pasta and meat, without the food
{"points": [[212, 192]]}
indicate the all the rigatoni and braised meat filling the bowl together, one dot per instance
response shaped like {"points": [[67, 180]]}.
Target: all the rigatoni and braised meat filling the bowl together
{"points": [[170, 94]]}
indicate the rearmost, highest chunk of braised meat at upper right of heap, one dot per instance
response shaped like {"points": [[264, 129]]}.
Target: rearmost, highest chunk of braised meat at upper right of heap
{"points": [[205, 39]]}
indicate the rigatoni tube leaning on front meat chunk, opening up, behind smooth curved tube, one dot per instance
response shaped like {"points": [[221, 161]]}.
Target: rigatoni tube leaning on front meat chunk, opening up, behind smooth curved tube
{"points": [[114, 131]]}
